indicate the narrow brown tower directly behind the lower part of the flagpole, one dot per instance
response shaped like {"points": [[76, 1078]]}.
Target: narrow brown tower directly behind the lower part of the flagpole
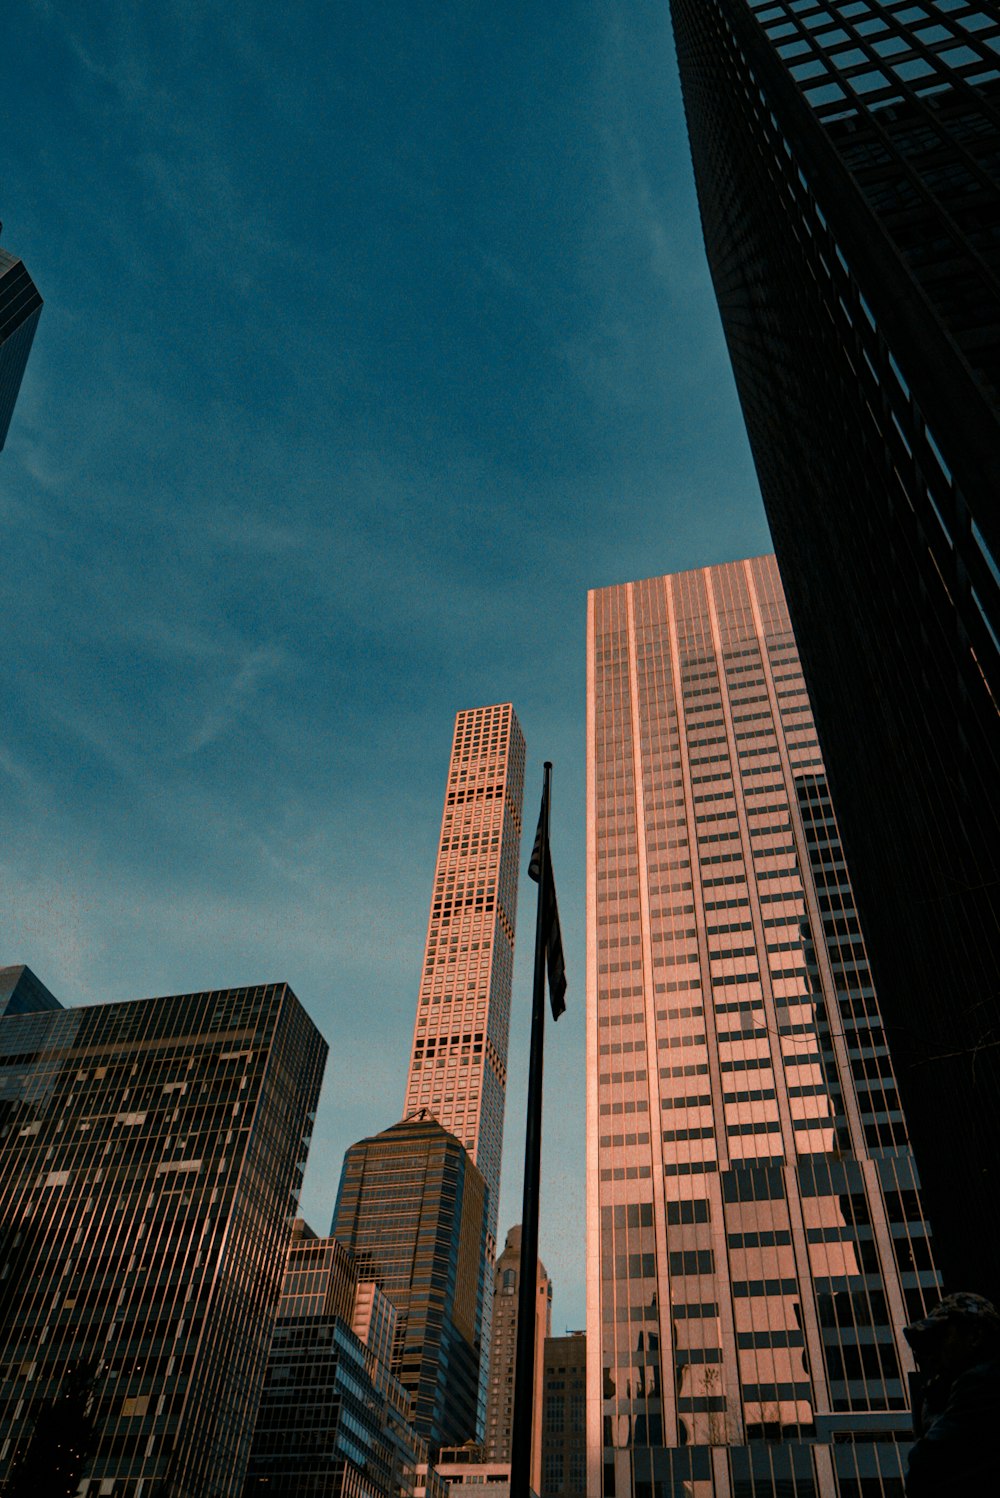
{"points": [[504, 1353]]}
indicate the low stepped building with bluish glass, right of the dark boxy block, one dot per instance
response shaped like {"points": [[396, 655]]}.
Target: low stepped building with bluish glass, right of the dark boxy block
{"points": [[333, 1422]]}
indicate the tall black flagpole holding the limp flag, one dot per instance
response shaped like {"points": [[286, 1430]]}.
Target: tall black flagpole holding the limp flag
{"points": [[528, 1291]]}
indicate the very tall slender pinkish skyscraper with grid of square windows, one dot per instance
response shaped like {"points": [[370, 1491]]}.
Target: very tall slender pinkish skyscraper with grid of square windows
{"points": [[459, 1066]]}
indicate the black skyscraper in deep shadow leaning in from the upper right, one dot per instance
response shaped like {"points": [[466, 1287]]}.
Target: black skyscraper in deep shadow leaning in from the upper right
{"points": [[848, 167]]}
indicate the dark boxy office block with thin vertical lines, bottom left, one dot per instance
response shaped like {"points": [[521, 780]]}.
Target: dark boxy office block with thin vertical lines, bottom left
{"points": [[150, 1163]]}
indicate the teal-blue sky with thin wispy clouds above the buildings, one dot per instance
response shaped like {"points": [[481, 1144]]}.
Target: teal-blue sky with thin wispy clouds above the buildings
{"points": [[374, 338]]}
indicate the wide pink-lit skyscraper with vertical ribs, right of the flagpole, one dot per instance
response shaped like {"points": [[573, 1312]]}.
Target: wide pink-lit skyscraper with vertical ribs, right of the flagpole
{"points": [[755, 1229]]}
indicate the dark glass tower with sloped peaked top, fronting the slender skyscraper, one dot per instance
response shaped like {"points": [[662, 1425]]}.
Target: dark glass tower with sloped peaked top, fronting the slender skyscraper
{"points": [[411, 1208]]}
